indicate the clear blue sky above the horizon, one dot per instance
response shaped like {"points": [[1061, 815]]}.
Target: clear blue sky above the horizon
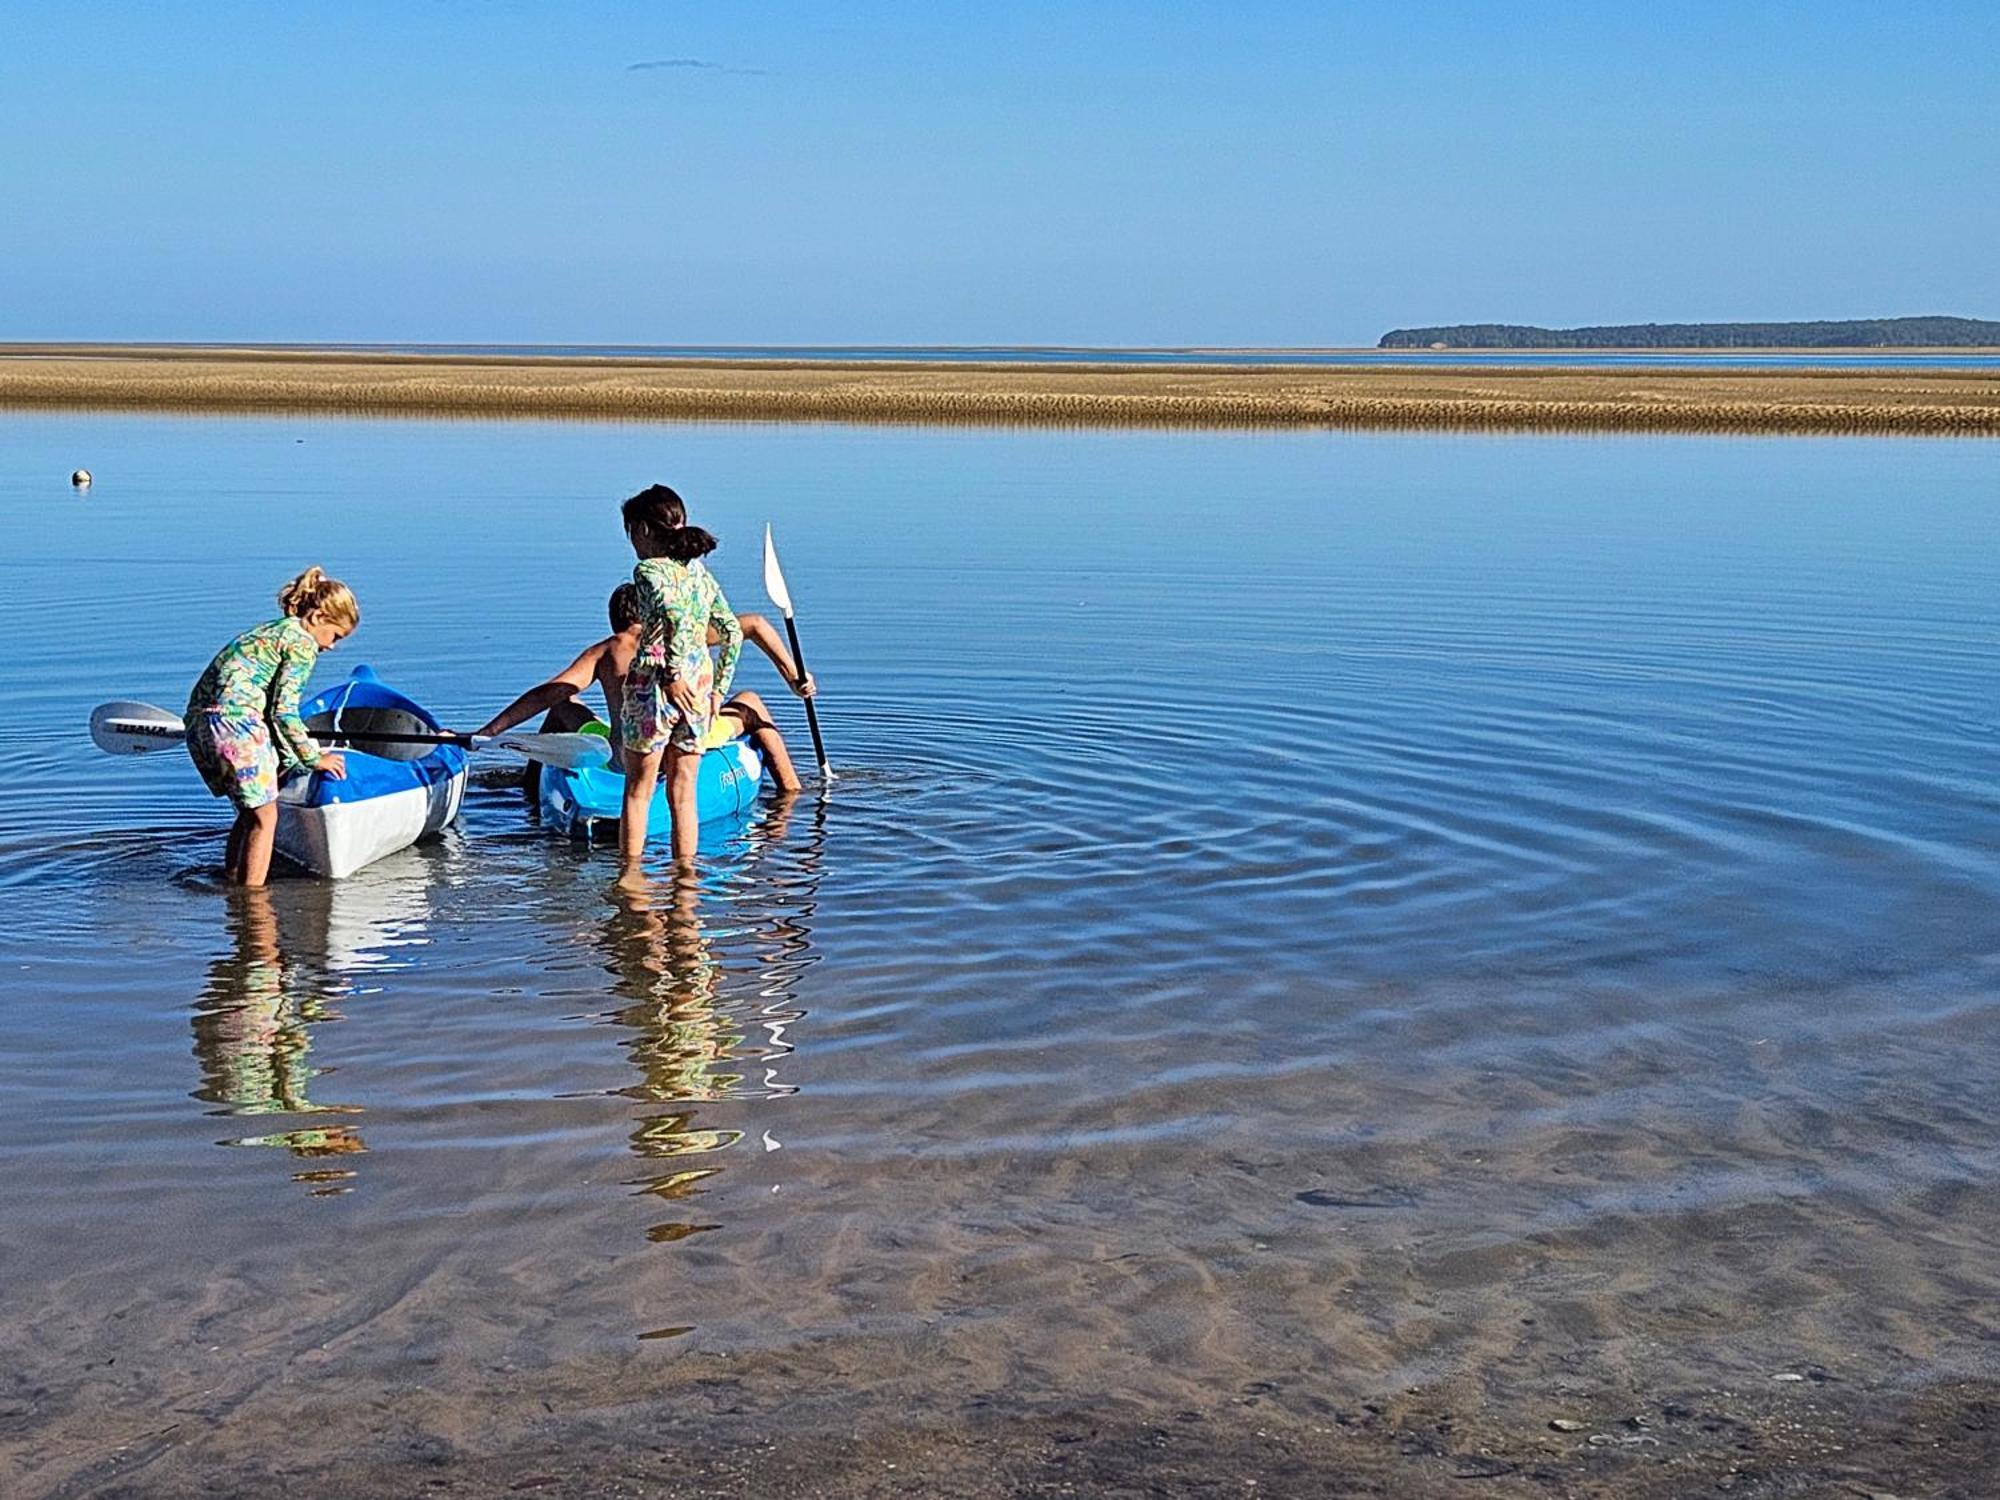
{"points": [[1089, 173]]}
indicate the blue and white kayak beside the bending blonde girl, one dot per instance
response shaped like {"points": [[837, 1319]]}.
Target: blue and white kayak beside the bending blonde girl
{"points": [[391, 797]]}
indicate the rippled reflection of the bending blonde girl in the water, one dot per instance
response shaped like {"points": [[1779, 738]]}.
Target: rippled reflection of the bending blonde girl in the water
{"points": [[251, 1035]]}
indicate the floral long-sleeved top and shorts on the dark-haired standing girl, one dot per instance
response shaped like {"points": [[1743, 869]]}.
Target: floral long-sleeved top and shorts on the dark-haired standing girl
{"points": [[679, 601]]}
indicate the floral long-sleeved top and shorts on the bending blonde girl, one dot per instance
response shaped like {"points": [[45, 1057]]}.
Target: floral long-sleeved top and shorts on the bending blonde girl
{"points": [[243, 717]]}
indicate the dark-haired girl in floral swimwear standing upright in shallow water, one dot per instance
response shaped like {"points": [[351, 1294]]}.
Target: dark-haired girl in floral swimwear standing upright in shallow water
{"points": [[673, 689]]}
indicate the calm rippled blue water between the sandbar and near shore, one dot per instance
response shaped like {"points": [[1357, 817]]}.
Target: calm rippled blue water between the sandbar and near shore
{"points": [[1293, 905]]}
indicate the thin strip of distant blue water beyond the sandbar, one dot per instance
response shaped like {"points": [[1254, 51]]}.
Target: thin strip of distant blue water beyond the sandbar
{"points": [[1869, 359]]}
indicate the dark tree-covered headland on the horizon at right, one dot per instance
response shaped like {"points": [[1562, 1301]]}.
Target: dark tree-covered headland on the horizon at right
{"points": [[1857, 333]]}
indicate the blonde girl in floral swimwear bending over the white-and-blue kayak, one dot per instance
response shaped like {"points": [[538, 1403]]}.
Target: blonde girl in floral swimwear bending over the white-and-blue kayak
{"points": [[243, 717]]}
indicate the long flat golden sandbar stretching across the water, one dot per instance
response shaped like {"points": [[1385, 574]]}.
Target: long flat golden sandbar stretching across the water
{"points": [[1941, 403]]}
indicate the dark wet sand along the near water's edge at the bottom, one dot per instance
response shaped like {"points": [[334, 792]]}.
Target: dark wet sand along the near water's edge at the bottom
{"points": [[1941, 1445]]}
